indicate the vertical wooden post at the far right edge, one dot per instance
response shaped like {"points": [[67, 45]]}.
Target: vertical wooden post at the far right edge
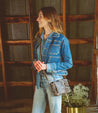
{"points": [[94, 69]]}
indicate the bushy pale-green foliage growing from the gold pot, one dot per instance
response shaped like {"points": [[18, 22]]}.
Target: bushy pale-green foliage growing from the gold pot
{"points": [[78, 97]]}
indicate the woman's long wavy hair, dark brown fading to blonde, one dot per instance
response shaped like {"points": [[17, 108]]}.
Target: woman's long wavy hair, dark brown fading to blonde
{"points": [[53, 18]]}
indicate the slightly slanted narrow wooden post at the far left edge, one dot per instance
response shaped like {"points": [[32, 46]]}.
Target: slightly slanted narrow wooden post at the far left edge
{"points": [[3, 66]]}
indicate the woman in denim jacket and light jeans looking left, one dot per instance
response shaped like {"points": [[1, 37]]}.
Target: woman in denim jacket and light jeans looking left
{"points": [[53, 47]]}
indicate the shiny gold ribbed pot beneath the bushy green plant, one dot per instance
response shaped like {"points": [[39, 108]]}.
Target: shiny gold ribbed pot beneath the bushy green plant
{"points": [[75, 110]]}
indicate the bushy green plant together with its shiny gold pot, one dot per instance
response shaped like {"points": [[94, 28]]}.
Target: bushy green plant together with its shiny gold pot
{"points": [[77, 99]]}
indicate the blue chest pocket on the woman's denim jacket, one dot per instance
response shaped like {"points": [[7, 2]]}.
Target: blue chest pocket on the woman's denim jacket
{"points": [[54, 49]]}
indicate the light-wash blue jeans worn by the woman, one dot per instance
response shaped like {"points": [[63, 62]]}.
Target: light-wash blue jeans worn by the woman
{"points": [[39, 102]]}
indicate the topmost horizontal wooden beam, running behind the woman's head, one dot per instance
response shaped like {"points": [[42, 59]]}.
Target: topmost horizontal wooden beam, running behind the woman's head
{"points": [[25, 19]]}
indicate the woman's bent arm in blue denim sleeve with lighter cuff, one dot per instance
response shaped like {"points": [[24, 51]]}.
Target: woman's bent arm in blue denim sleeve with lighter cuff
{"points": [[66, 62]]}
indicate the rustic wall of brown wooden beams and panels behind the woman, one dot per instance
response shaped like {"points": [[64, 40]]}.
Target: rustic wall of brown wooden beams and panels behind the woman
{"points": [[18, 27]]}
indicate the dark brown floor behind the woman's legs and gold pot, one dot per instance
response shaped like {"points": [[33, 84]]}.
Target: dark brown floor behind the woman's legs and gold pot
{"points": [[25, 106]]}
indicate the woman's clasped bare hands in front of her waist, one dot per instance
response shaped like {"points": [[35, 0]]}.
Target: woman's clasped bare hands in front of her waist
{"points": [[40, 65]]}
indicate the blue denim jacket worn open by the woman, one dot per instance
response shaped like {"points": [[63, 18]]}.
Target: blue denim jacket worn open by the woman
{"points": [[56, 54]]}
